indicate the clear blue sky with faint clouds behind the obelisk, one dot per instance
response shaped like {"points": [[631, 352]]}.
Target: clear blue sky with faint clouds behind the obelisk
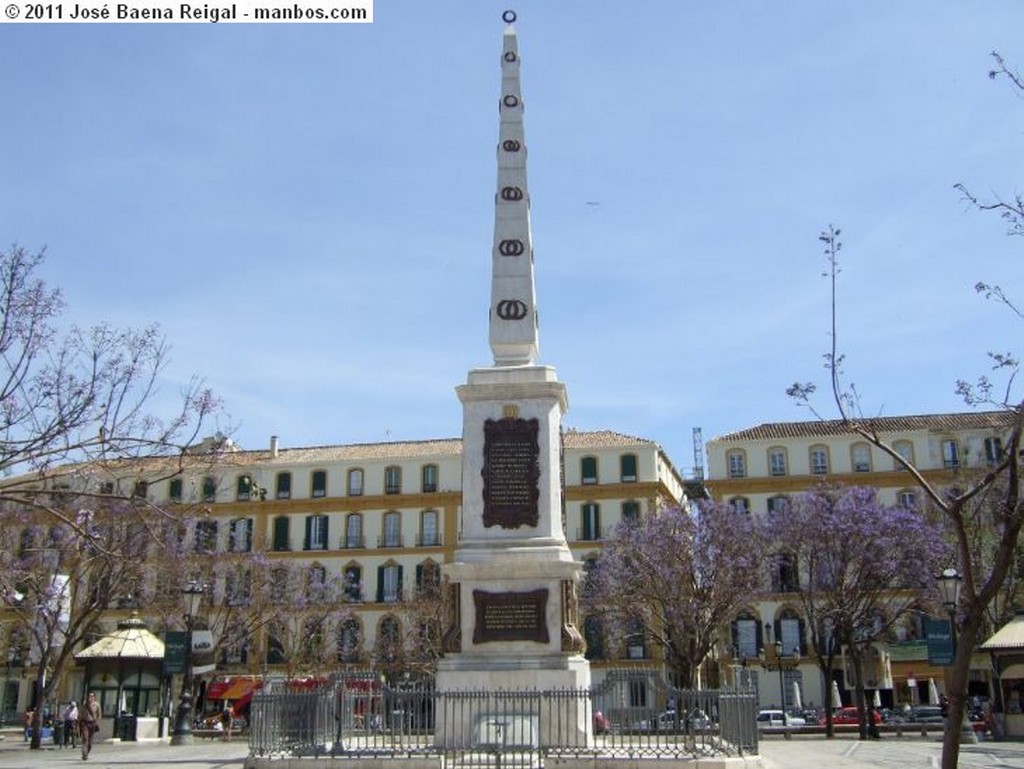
{"points": [[307, 209]]}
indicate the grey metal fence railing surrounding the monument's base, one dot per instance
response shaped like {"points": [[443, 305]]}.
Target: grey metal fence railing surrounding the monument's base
{"points": [[364, 717]]}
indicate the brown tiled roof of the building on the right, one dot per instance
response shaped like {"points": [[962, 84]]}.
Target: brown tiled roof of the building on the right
{"points": [[929, 422]]}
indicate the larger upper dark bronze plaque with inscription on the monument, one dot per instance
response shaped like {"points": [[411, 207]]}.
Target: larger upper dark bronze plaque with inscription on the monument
{"points": [[511, 474]]}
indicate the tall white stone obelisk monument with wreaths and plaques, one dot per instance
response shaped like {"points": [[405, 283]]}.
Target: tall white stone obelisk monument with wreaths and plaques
{"points": [[515, 618]]}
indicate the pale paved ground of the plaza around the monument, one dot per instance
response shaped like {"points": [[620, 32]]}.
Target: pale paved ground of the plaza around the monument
{"points": [[810, 752]]}
